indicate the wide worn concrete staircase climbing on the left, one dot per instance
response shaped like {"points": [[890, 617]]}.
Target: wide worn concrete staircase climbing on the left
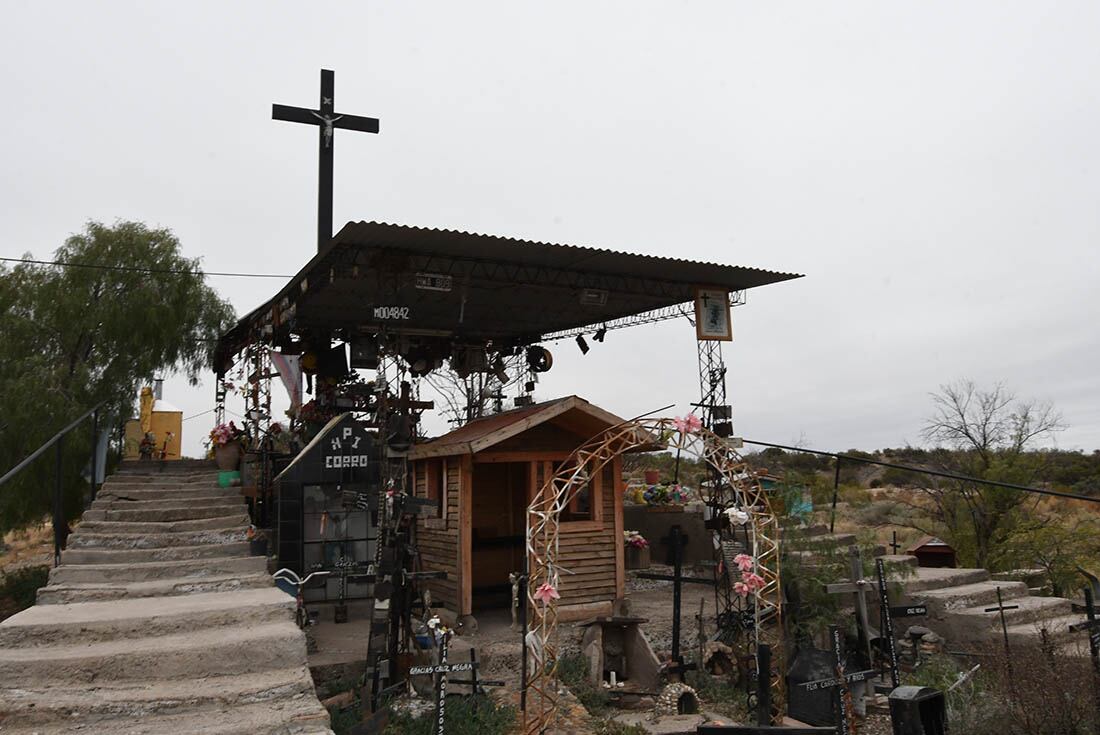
{"points": [[159, 621]]}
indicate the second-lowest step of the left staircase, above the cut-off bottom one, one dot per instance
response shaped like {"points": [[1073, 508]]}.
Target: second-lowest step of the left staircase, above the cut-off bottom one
{"points": [[97, 706]]}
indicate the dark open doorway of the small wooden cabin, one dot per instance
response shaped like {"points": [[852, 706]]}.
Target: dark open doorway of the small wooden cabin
{"points": [[499, 513]]}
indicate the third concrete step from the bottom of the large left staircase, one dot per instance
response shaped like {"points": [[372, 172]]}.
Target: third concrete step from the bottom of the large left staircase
{"points": [[206, 653]]}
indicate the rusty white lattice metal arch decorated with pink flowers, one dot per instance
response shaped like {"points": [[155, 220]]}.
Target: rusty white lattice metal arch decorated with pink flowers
{"points": [[738, 495]]}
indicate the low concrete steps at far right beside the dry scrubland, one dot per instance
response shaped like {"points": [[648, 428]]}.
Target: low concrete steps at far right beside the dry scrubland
{"points": [[958, 600]]}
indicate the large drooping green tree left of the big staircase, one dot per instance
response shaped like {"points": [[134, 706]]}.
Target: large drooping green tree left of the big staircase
{"points": [[72, 337]]}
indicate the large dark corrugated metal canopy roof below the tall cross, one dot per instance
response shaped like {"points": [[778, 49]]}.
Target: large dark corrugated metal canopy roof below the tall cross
{"points": [[504, 290]]}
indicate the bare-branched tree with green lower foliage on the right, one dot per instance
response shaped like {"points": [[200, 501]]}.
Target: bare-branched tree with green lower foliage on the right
{"points": [[991, 435]]}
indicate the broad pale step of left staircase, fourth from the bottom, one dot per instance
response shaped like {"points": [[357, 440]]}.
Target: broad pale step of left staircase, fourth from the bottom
{"points": [[50, 627]]}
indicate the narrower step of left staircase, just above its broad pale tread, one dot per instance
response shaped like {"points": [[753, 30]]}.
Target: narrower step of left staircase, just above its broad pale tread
{"points": [[186, 569]]}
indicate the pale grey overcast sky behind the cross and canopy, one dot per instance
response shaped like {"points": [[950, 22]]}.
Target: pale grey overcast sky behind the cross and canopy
{"points": [[932, 168]]}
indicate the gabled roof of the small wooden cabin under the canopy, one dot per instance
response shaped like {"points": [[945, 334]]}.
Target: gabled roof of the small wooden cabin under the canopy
{"points": [[571, 412]]}
